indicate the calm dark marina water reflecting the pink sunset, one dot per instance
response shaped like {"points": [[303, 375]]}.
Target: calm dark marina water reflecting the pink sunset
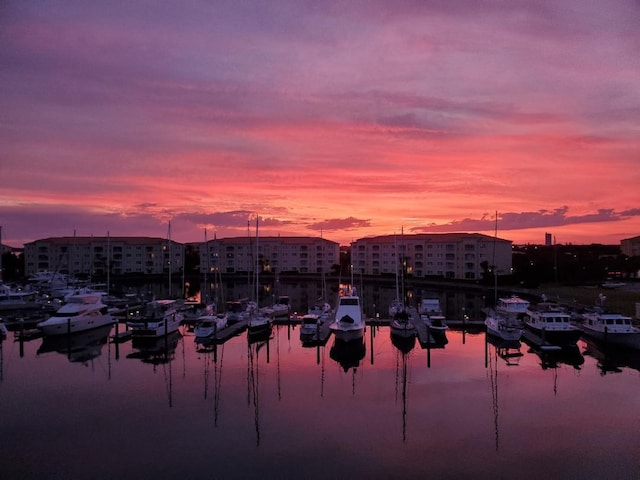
{"points": [[278, 410]]}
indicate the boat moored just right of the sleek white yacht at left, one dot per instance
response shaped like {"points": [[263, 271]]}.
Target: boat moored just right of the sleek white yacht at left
{"points": [[161, 317]]}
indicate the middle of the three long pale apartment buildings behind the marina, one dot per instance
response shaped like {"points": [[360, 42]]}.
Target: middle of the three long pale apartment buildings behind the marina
{"points": [[274, 254]]}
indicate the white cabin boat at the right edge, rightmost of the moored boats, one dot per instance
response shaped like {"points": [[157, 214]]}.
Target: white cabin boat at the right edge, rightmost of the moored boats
{"points": [[611, 328]]}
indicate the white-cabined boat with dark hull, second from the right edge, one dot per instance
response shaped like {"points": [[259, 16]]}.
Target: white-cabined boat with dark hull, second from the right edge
{"points": [[552, 324]]}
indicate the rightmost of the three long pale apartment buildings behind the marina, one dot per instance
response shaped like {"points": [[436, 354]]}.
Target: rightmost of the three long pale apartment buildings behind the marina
{"points": [[448, 255]]}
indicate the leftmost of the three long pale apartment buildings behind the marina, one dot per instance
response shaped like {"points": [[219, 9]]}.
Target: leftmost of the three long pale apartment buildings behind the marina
{"points": [[87, 256]]}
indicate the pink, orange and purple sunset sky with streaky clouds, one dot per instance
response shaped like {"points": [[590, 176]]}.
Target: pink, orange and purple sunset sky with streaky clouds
{"points": [[342, 118]]}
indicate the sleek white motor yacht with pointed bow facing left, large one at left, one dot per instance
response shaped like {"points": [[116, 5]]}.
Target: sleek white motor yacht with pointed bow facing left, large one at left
{"points": [[80, 312]]}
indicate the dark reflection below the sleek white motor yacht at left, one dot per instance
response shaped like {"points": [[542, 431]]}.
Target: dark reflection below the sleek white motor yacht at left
{"points": [[80, 347]]}
